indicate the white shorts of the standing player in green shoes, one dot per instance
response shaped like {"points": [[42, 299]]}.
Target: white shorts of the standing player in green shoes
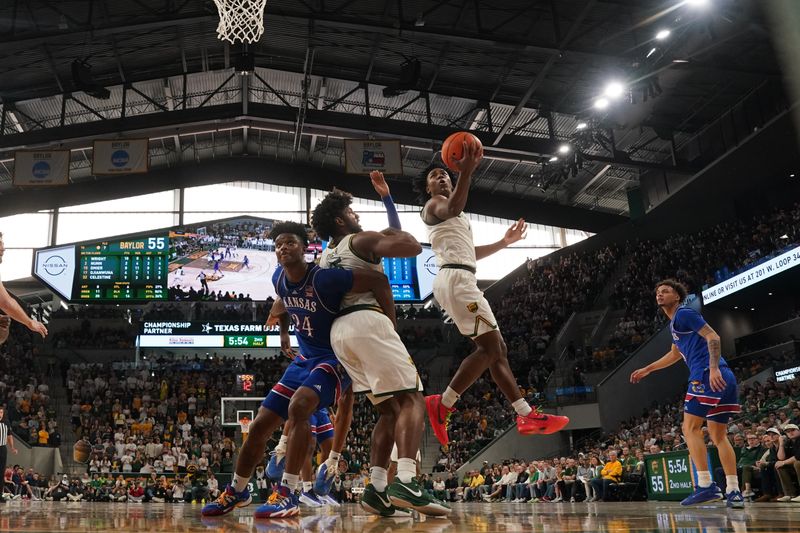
{"points": [[373, 355]]}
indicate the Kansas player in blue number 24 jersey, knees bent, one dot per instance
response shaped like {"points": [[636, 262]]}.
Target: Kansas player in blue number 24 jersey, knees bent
{"points": [[311, 296]]}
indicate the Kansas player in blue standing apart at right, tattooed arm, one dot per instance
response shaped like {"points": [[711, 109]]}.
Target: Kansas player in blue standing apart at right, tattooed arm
{"points": [[712, 396]]}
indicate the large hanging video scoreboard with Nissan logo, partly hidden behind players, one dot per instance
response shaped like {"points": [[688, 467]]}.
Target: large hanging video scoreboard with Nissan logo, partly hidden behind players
{"points": [[232, 258]]}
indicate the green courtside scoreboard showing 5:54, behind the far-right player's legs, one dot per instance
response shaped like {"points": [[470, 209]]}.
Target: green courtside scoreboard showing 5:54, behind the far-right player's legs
{"points": [[671, 476]]}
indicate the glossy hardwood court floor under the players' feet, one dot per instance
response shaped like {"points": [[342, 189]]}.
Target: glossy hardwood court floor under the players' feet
{"points": [[33, 517]]}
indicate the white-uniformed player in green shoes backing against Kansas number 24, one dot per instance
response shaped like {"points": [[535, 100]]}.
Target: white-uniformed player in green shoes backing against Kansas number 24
{"points": [[366, 343]]}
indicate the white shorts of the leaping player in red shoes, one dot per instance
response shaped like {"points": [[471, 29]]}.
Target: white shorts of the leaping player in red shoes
{"points": [[457, 292]]}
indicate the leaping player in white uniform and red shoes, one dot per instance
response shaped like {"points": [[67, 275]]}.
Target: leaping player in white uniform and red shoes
{"points": [[456, 290]]}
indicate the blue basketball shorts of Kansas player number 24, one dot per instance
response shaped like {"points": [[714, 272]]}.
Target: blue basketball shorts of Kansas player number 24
{"points": [[324, 375]]}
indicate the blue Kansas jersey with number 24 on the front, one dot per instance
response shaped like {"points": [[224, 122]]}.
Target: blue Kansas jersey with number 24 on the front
{"points": [[313, 304]]}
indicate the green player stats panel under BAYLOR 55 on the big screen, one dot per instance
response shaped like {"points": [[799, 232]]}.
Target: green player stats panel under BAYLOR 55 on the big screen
{"points": [[133, 269]]}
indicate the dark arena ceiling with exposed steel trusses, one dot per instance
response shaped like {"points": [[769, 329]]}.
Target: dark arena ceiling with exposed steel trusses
{"points": [[521, 74]]}
